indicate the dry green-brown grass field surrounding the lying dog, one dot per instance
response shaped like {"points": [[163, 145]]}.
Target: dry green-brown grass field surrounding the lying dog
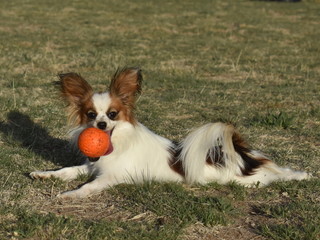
{"points": [[252, 63]]}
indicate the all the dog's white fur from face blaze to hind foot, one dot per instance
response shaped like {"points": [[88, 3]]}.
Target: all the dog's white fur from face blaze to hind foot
{"points": [[141, 155]]}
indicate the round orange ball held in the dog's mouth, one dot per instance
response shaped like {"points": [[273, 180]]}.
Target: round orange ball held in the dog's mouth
{"points": [[93, 142]]}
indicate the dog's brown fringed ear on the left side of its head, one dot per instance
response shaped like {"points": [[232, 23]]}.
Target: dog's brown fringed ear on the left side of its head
{"points": [[74, 88]]}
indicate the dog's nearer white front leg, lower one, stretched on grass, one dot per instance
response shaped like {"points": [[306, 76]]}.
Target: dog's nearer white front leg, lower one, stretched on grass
{"points": [[90, 188]]}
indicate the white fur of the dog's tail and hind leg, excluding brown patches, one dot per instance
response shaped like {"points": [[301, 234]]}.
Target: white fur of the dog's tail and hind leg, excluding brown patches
{"points": [[198, 143]]}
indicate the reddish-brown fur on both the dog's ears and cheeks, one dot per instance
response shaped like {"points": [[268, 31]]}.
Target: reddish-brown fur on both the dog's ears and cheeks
{"points": [[124, 87]]}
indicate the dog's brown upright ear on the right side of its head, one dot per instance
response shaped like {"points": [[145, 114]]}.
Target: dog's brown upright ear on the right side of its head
{"points": [[126, 85]]}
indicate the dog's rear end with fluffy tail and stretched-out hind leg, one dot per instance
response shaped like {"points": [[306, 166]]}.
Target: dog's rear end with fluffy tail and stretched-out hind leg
{"points": [[216, 152]]}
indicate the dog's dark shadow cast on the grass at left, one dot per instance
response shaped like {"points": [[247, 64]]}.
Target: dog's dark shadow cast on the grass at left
{"points": [[20, 129]]}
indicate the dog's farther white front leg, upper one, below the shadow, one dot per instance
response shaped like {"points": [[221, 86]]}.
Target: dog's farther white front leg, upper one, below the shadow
{"points": [[66, 174]]}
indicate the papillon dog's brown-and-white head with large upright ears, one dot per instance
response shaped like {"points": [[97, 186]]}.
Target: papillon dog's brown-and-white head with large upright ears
{"points": [[102, 110]]}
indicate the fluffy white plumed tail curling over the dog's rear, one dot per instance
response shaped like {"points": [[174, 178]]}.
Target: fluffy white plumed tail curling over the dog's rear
{"points": [[209, 145]]}
